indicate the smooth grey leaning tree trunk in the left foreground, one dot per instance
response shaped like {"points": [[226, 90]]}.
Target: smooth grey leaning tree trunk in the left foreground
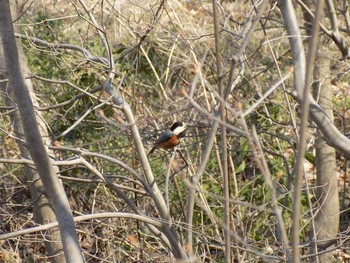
{"points": [[33, 139]]}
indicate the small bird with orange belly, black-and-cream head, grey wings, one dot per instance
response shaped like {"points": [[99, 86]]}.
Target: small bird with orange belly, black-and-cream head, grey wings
{"points": [[170, 137]]}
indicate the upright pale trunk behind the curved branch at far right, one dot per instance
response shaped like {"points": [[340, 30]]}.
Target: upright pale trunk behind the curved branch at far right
{"points": [[327, 215]]}
